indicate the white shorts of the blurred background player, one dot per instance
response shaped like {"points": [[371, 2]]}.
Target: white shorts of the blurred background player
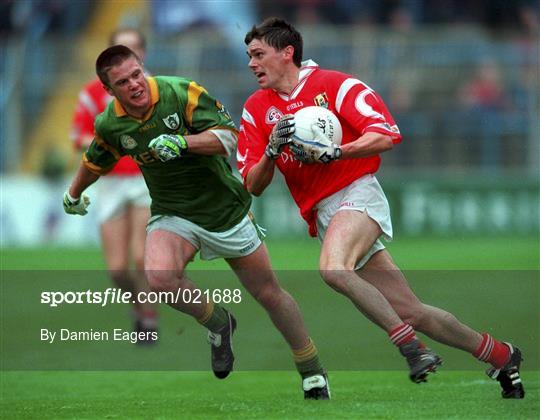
{"points": [[116, 193]]}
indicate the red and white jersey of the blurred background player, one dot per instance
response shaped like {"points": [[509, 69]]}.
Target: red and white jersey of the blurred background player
{"points": [[93, 99]]}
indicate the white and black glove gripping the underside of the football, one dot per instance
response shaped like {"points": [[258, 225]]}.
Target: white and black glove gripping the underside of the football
{"points": [[318, 150]]}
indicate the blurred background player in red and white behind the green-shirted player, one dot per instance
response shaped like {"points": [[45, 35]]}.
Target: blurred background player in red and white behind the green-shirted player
{"points": [[122, 196]]}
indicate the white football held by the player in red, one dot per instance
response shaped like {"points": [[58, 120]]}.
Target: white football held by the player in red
{"points": [[322, 117]]}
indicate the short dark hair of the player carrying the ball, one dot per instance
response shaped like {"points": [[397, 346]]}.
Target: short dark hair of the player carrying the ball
{"points": [[278, 33]]}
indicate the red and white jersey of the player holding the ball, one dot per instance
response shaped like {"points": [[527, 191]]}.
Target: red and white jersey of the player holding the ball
{"points": [[359, 109]]}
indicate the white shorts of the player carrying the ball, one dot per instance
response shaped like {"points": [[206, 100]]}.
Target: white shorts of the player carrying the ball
{"points": [[365, 195]]}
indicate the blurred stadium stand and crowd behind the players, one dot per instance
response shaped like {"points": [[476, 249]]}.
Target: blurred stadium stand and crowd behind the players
{"points": [[461, 77]]}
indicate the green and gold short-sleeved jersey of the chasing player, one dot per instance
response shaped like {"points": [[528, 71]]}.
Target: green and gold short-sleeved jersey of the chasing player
{"points": [[199, 188]]}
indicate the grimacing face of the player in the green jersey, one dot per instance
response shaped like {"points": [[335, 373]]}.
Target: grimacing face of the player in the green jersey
{"points": [[128, 84]]}
